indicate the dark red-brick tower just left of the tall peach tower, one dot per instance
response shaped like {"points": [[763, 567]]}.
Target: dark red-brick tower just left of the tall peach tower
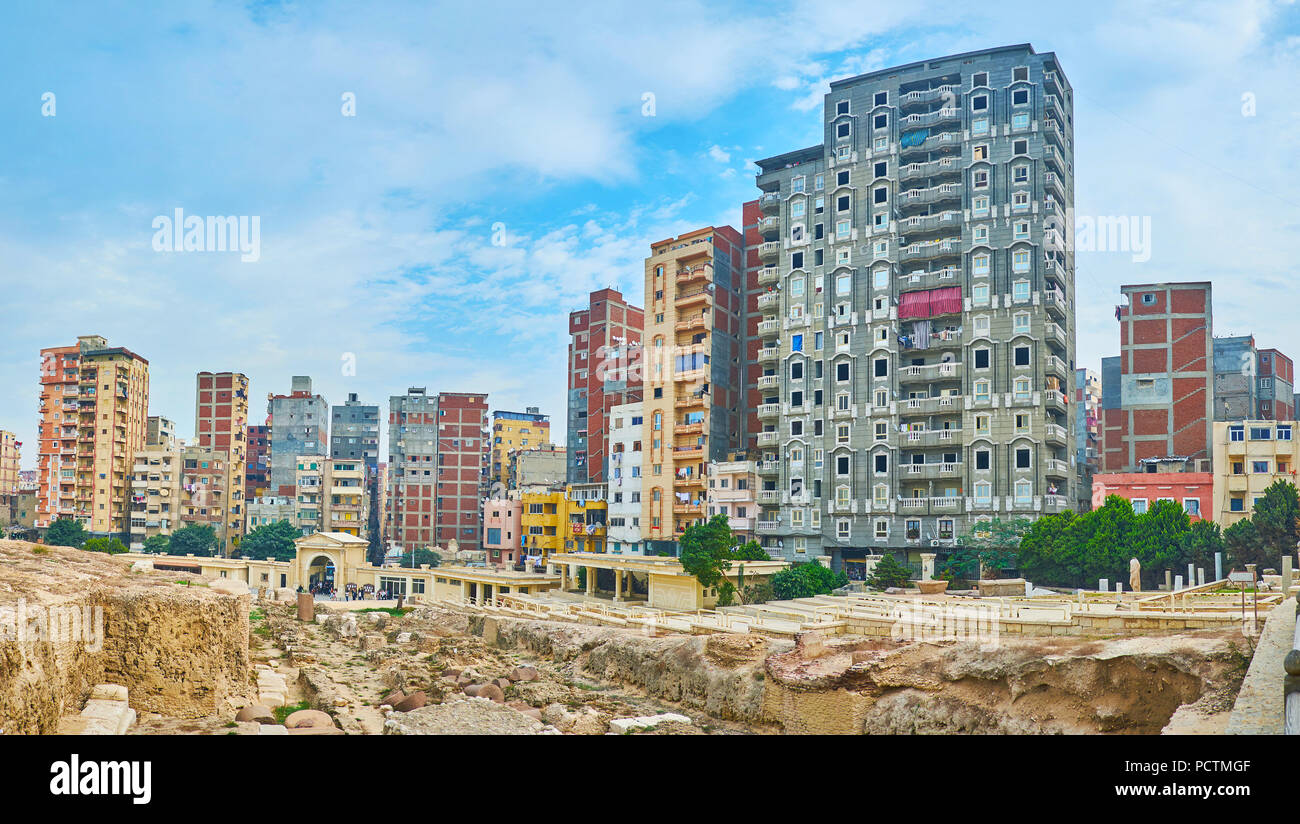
{"points": [[604, 371]]}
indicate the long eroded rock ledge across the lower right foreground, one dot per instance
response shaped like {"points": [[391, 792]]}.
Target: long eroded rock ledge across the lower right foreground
{"points": [[864, 686]]}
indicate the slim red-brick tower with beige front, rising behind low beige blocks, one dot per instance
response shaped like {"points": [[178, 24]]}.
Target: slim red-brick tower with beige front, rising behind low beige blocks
{"points": [[220, 424]]}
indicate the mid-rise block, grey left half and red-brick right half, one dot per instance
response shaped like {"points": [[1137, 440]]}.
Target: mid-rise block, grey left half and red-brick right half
{"points": [[437, 462]]}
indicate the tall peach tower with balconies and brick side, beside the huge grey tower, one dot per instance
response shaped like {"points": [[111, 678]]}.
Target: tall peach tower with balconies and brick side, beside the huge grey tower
{"points": [[692, 375]]}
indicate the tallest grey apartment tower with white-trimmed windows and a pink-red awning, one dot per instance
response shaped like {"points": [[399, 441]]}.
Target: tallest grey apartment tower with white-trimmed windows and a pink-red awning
{"points": [[920, 316]]}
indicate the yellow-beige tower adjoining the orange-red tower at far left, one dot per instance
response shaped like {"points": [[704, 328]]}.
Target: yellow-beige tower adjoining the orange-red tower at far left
{"points": [[112, 407]]}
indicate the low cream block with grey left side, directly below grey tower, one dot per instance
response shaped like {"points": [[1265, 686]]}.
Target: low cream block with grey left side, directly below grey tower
{"points": [[331, 496]]}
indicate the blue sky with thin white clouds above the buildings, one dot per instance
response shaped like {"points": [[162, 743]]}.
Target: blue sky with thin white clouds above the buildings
{"points": [[376, 229]]}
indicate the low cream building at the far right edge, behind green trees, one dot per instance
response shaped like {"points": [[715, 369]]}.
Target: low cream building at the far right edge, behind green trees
{"points": [[1249, 458]]}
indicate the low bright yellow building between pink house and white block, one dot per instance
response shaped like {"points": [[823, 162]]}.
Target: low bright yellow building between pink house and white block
{"points": [[567, 521]]}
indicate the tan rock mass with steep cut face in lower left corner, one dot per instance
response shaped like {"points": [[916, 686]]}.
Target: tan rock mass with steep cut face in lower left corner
{"points": [[72, 619]]}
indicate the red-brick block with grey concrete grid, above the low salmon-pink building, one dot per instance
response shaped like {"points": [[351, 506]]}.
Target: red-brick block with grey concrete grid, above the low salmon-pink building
{"points": [[1165, 381]]}
